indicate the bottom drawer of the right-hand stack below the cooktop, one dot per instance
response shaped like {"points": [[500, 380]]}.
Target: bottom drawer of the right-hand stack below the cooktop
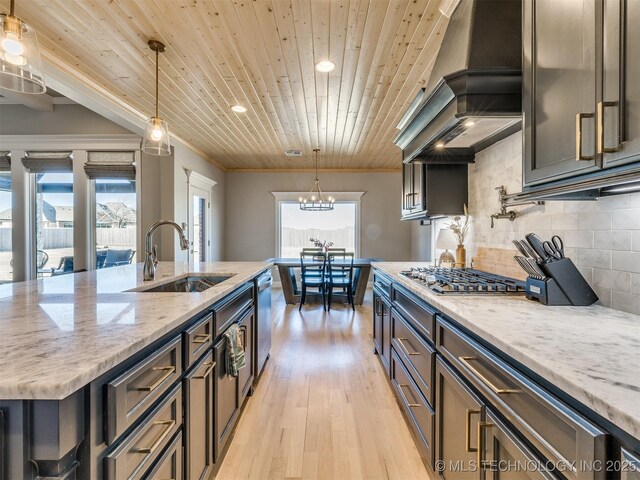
{"points": [[415, 406]]}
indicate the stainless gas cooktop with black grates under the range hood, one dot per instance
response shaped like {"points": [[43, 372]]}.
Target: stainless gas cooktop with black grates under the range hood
{"points": [[464, 281]]}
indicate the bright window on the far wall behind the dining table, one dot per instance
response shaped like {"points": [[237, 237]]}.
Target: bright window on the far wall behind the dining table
{"points": [[337, 226]]}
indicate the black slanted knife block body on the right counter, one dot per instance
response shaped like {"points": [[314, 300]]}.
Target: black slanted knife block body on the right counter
{"points": [[564, 285]]}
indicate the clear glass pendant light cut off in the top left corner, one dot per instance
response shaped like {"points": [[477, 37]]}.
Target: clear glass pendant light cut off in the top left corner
{"points": [[20, 63]]}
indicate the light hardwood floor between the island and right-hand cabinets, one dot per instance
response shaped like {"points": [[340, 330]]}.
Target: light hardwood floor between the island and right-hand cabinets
{"points": [[323, 407]]}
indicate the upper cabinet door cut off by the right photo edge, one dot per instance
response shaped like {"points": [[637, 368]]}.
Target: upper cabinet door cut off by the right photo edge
{"points": [[619, 111]]}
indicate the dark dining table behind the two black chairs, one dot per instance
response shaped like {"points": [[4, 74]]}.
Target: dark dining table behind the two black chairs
{"points": [[287, 270]]}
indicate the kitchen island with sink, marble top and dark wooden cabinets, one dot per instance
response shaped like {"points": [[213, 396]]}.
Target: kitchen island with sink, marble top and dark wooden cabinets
{"points": [[92, 364]]}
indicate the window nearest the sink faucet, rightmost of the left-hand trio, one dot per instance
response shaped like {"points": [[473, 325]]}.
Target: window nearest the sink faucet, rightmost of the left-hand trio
{"points": [[115, 222]]}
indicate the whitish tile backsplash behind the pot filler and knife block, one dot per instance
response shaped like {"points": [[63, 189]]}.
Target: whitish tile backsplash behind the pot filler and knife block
{"points": [[601, 237]]}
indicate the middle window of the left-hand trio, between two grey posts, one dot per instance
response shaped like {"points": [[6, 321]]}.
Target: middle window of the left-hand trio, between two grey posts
{"points": [[53, 223]]}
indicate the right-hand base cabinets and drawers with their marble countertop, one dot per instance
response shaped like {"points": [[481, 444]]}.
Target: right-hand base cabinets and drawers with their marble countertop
{"points": [[566, 379]]}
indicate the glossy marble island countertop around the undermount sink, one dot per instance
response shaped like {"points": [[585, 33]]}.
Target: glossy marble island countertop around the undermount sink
{"points": [[58, 334]]}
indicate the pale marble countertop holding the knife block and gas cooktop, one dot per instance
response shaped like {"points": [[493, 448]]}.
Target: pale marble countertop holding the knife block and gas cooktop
{"points": [[591, 353]]}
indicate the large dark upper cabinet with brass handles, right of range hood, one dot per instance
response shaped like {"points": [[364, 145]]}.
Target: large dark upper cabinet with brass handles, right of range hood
{"points": [[581, 100]]}
